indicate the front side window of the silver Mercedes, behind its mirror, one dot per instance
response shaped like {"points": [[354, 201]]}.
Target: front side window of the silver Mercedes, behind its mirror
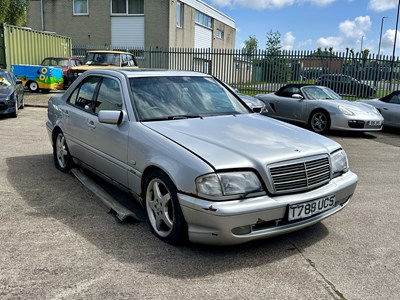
{"points": [[109, 96]]}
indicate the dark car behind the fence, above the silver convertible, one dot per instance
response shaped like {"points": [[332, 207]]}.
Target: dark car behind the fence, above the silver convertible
{"points": [[346, 85]]}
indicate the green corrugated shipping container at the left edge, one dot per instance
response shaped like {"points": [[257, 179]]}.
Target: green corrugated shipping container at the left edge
{"points": [[20, 45]]}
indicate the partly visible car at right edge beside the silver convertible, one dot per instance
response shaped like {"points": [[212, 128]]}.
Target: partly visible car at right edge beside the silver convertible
{"points": [[389, 107]]}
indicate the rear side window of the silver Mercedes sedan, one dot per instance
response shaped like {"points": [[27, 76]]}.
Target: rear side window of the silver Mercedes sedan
{"points": [[83, 95]]}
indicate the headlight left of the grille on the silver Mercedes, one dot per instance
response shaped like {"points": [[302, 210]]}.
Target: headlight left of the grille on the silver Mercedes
{"points": [[228, 184]]}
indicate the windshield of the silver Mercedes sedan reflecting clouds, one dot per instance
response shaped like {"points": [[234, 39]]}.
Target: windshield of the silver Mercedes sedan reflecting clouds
{"points": [[177, 97]]}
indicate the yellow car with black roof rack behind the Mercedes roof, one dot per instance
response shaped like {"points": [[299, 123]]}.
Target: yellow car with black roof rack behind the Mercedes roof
{"points": [[103, 59]]}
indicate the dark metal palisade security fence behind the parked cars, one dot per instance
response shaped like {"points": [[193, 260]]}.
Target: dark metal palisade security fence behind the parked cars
{"points": [[353, 75]]}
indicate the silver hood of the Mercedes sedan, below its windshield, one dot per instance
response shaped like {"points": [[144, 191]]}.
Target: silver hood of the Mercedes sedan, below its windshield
{"points": [[248, 140]]}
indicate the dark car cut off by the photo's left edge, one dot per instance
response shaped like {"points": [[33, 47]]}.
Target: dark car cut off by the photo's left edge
{"points": [[11, 94]]}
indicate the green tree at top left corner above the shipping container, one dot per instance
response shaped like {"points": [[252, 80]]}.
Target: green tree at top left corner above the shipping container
{"points": [[13, 12]]}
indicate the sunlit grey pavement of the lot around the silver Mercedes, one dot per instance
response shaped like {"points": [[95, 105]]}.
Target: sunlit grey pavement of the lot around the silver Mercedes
{"points": [[58, 241]]}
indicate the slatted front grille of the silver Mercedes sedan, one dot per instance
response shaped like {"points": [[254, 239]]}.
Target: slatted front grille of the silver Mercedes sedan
{"points": [[300, 176]]}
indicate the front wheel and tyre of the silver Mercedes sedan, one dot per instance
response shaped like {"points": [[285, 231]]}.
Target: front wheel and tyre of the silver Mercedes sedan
{"points": [[163, 210]]}
